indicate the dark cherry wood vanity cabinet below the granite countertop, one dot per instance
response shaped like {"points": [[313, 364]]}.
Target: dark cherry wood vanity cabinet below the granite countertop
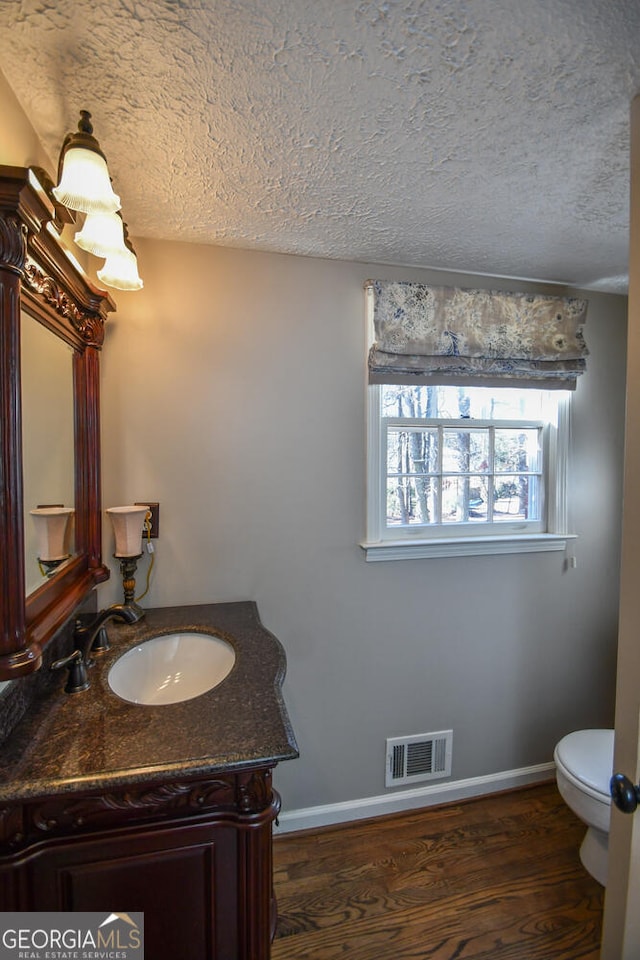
{"points": [[194, 856]]}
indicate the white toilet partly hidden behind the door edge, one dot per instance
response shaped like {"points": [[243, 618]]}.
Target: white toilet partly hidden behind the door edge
{"points": [[584, 765]]}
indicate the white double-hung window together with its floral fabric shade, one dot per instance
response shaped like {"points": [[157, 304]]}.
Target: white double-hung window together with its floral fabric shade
{"points": [[468, 419]]}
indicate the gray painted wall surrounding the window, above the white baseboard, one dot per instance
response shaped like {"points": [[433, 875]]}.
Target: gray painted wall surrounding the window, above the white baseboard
{"points": [[233, 393]]}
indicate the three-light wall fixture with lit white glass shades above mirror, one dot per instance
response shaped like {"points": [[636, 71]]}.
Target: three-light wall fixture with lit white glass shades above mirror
{"points": [[84, 185]]}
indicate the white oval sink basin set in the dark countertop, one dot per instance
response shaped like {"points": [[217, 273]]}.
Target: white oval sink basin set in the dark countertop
{"points": [[171, 668]]}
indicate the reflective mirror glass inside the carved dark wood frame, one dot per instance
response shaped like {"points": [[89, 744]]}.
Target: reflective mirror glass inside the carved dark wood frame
{"points": [[47, 440]]}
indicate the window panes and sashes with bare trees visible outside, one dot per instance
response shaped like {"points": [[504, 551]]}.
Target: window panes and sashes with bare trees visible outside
{"points": [[458, 455]]}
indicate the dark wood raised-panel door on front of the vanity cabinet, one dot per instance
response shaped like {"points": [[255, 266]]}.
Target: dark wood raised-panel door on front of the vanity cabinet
{"points": [[184, 879]]}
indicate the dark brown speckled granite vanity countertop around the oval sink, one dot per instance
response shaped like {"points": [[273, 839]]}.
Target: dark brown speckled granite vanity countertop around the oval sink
{"points": [[95, 740]]}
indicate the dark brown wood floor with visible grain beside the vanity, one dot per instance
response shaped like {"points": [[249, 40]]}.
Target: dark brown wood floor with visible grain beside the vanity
{"points": [[496, 878]]}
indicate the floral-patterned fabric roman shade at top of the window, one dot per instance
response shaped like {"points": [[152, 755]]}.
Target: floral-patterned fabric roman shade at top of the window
{"points": [[429, 334]]}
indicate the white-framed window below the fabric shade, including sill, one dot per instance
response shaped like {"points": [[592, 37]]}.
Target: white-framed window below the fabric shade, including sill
{"points": [[456, 470]]}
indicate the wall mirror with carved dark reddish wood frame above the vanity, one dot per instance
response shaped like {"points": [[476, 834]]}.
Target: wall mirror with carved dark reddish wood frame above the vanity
{"points": [[41, 284]]}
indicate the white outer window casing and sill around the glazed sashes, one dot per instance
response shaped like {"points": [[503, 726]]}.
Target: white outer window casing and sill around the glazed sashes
{"points": [[383, 543]]}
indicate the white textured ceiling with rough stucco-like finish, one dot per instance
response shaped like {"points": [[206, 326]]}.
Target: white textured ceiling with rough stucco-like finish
{"points": [[488, 136]]}
